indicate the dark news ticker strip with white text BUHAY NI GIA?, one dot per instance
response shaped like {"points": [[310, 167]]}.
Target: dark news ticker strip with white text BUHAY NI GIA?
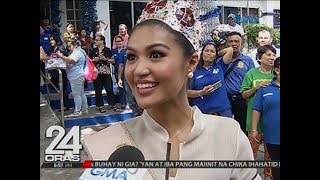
{"points": [[163, 164]]}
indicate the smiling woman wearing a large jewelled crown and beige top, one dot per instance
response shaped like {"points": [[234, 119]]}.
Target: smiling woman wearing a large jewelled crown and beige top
{"points": [[161, 57]]}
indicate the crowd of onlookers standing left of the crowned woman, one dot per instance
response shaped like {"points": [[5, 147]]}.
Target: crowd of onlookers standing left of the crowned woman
{"points": [[74, 48]]}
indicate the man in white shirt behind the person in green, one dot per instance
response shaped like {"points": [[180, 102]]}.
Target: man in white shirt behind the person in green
{"points": [[264, 38]]}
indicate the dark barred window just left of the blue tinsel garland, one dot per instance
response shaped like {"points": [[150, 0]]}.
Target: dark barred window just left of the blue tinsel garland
{"points": [[74, 13]]}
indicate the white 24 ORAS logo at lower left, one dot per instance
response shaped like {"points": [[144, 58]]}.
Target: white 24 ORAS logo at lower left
{"points": [[60, 148]]}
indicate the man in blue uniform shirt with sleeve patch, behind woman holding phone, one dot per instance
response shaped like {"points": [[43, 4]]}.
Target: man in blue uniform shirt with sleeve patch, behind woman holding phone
{"points": [[239, 66]]}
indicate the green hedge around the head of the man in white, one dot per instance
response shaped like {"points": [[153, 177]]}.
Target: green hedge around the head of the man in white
{"points": [[252, 31]]}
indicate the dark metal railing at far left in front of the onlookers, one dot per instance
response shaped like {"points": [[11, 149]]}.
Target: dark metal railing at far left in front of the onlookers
{"points": [[60, 91]]}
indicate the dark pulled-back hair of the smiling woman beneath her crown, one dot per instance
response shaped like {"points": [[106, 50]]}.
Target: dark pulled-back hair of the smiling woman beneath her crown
{"points": [[184, 43]]}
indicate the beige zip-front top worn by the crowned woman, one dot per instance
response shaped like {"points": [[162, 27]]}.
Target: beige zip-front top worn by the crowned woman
{"points": [[211, 138]]}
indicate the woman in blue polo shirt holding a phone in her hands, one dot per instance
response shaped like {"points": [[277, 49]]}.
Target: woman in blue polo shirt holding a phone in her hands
{"points": [[207, 87]]}
